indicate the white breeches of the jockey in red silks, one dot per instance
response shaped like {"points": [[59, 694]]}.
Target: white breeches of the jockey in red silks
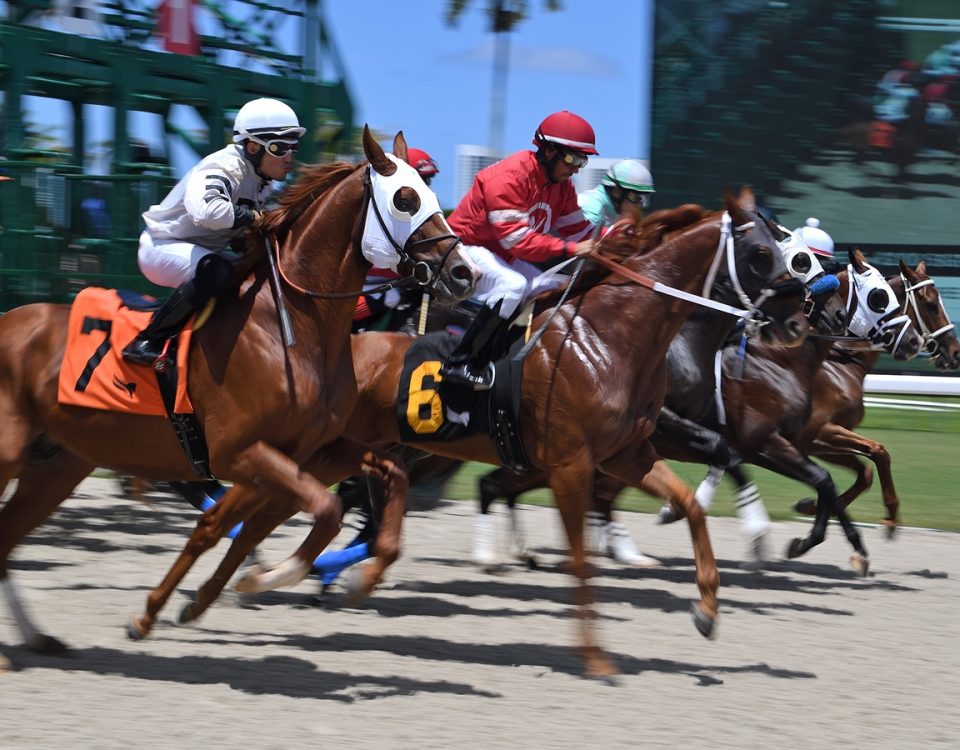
{"points": [[511, 282]]}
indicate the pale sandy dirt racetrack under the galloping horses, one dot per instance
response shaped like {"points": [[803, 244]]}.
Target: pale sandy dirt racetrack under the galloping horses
{"points": [[446, 656]]}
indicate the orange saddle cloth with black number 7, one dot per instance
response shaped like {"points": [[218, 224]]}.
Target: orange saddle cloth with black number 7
{"points": [[93, 372]]}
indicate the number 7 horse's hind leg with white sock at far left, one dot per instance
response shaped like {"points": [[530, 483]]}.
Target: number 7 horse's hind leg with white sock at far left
{"points": [[41, 488]]}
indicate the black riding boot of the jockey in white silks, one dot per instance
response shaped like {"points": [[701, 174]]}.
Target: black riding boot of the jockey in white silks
{"points": [[214, 274]]}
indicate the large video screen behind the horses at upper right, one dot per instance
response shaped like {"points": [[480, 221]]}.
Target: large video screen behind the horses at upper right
{"points": [[843, 110]]}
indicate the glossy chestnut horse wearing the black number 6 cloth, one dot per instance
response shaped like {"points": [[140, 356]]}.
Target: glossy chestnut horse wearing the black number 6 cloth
{"points": [[592, 387]]}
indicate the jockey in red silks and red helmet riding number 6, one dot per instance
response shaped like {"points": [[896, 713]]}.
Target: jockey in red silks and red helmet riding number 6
{"points": [[508, 221]]}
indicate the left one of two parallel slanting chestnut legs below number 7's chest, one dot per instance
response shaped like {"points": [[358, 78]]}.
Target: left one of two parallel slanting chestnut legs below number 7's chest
{"points": [[235, 506]]}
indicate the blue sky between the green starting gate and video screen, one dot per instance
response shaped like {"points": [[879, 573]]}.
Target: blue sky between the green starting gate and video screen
{"points": [[409, 70]]}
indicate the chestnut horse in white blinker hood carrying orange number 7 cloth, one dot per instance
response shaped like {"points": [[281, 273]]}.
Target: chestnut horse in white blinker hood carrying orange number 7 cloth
{"points": [[273, 415]]}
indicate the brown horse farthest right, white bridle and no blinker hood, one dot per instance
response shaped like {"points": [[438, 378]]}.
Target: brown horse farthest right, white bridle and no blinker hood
{"points": [[838, 405]]}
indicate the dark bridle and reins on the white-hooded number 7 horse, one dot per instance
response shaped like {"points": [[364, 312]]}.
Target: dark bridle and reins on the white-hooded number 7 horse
{"points": [[416, 273]]}
